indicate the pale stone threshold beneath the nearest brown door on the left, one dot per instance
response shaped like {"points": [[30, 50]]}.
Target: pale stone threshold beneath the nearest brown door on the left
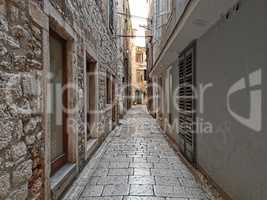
{"points": [[62, 179]]}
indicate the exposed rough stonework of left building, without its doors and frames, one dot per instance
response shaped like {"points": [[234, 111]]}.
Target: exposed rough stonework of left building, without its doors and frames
{"points": [[22, 138]]}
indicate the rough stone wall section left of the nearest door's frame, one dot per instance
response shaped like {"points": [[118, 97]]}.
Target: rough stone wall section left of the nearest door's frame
{"points": [[21, 138]]}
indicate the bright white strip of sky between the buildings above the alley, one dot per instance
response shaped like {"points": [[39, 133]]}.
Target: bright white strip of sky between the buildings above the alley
{"points": [[139, 8]]}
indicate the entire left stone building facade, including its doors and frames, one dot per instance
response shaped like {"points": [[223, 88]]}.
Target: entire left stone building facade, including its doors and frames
{"points": [[85, 29]]}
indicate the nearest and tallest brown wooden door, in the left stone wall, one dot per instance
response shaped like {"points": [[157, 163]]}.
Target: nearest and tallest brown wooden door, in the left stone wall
{"points": [[58, 100]]}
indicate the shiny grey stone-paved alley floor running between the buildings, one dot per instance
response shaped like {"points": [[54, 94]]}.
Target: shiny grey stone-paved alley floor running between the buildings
{"points": [[136, 163]]}
